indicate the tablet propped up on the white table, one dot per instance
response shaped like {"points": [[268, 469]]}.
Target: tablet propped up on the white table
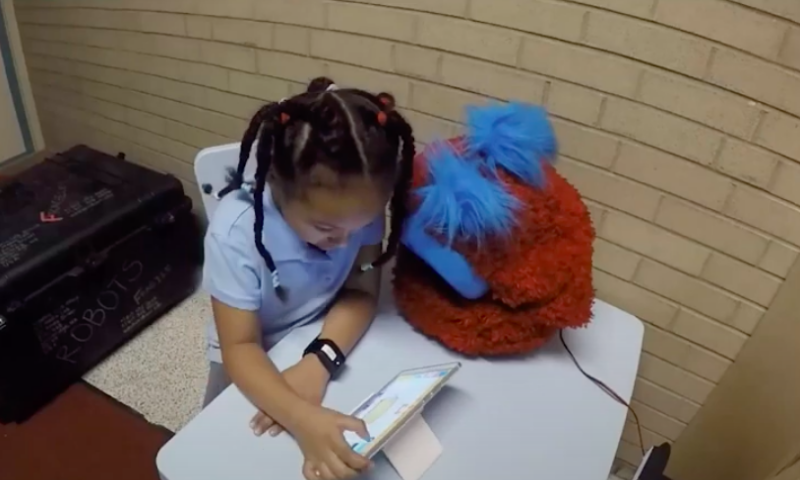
{"points": [[386, 411]]}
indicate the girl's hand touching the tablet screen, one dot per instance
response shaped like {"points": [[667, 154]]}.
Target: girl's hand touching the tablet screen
{"points": [[320, 436]]}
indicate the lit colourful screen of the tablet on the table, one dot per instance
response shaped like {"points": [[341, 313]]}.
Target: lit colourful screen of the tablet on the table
{"points": [[383, 410]]}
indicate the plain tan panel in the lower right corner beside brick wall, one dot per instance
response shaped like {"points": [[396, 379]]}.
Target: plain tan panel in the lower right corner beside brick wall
{"points": [[749, 428]]}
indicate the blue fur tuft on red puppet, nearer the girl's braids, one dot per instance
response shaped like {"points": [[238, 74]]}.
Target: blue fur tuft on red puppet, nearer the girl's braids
{"points": [[459, 201]]}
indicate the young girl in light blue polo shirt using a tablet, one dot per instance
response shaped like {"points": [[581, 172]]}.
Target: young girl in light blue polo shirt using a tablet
{"points": [[328, 161]]}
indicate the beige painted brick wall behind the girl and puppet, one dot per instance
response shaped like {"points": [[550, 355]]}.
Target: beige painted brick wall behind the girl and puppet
{"points": [[679, 121]]}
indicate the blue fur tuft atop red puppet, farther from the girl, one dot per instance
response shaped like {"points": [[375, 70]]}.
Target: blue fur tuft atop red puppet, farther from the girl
{"points": [[516, 137]]}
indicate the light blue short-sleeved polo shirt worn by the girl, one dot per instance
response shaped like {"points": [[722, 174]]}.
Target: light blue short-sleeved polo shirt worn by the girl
{"points": [[235, 274]]}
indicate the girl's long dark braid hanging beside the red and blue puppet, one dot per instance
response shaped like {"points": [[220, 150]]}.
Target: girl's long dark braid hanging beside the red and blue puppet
{"points": [[399, 204]]}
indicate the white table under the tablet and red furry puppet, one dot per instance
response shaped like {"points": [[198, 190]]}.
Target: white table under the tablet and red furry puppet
{"points": [[535, 417]]}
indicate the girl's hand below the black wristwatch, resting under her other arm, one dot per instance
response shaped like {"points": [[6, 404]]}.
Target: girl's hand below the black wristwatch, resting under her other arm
{"points": [[309, 379]]}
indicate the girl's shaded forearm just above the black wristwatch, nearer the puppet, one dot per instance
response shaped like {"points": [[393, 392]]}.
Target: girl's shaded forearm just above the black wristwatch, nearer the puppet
{"points": [[356, 305]]}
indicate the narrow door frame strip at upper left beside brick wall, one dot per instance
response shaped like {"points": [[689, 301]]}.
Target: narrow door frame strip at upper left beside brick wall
{"points": [[17, 75]]}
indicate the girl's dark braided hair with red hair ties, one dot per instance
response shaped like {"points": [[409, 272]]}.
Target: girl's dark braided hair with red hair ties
{"points": [[350, 131]]}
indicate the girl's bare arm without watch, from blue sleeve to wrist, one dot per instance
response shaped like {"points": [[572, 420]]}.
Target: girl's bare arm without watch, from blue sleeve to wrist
{"points": [[251, 369]]}
